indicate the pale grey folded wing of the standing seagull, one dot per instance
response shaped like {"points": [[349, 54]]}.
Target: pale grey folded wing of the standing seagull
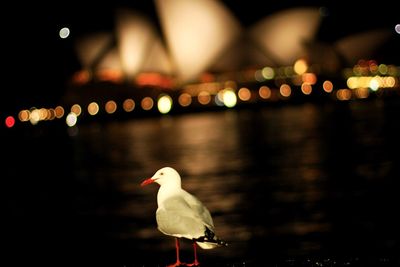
{"points": [[183, 216]]}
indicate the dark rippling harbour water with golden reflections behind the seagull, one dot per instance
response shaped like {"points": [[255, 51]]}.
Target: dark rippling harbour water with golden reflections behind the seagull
{"points": [[284, 185]]}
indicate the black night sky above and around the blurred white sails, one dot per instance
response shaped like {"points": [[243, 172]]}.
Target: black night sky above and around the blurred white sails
{"points": [[36, 62]]}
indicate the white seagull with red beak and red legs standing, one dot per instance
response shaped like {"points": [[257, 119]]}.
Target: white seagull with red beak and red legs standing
{"points": [[182, 215]]}
